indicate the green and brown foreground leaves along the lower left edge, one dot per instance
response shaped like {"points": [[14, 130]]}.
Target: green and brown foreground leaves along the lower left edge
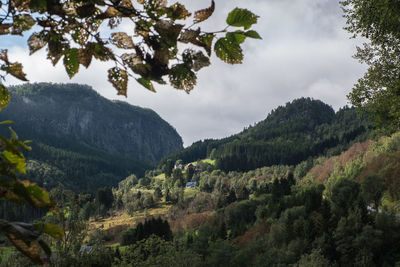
{"points": [[24, 236]]}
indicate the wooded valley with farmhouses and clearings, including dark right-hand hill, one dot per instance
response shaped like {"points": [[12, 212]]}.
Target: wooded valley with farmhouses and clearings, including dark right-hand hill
{"points": [[300, 206]]}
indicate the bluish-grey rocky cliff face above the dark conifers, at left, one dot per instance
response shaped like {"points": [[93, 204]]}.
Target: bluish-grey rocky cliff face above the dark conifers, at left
{"points": [[65, 115]]}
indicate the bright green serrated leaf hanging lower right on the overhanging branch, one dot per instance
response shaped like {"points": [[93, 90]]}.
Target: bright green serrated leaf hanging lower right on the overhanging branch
{"points": [[228, 50]]}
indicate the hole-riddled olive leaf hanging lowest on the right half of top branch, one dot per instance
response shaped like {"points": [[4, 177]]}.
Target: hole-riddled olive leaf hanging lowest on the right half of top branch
{"points": [[182, 77]]}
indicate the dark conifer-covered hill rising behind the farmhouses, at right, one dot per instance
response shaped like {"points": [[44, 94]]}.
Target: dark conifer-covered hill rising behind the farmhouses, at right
{"points": [[290, 134]]}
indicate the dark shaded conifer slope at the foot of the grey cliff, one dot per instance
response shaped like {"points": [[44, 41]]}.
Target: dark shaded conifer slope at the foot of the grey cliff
{"points": [[49, 166]]}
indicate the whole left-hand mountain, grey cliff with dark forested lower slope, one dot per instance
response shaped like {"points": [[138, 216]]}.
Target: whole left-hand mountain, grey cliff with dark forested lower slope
{"points": [[84, 140]]}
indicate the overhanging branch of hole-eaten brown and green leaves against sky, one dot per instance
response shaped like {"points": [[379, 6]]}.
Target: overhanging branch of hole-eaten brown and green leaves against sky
{"points": [[75, 31]]}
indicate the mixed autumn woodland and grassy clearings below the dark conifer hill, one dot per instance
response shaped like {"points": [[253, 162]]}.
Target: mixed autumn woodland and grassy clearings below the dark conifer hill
{"points": [[341, 210]]}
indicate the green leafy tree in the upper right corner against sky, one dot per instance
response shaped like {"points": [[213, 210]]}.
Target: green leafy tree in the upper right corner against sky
{"points": [[378, 91]]}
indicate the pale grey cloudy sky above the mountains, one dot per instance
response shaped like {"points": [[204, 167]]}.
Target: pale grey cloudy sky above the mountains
{"points": [[304, 53]]}
